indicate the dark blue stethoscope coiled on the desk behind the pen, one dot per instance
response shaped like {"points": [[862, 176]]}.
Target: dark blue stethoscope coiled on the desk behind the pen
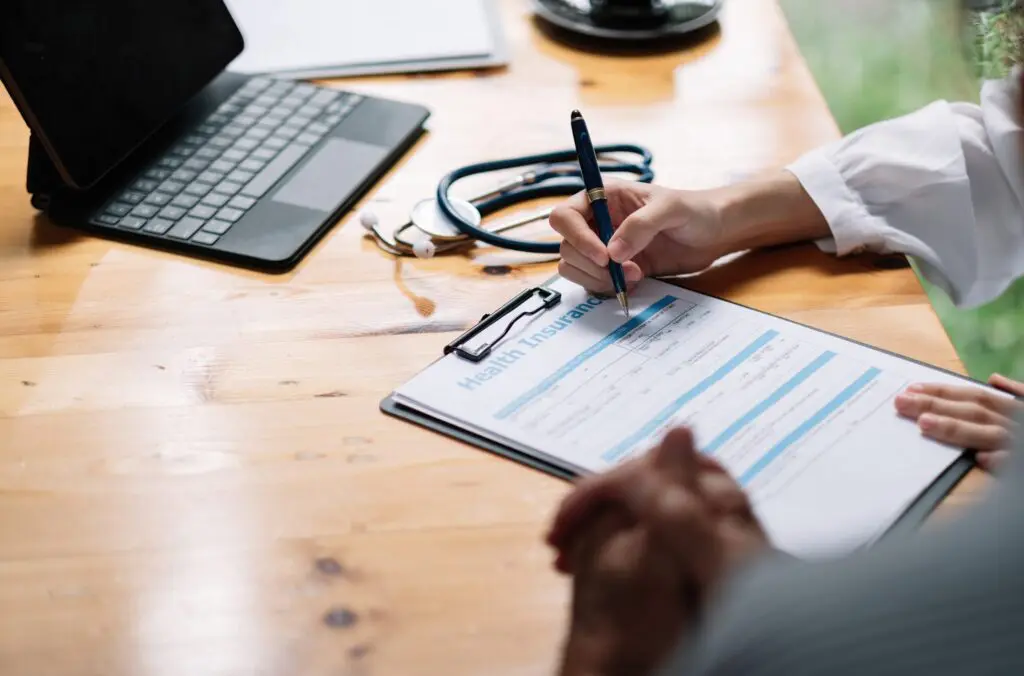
{"points": [[444, 224]]}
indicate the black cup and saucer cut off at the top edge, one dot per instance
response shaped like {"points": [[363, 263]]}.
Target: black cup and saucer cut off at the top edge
{"points": [[629, 21]]}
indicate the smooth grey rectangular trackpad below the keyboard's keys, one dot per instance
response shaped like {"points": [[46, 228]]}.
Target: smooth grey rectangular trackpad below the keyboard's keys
{"points": [[331, 175]]}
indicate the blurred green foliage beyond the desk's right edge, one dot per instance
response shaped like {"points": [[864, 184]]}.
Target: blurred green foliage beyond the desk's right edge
{"points": [[876, 60]]}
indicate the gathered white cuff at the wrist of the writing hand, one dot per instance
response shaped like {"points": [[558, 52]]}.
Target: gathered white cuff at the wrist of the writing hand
{"points": [[840, 206]]}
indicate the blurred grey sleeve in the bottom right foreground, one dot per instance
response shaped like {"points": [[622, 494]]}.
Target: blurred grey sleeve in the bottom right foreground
{"points": [[949, 600]]}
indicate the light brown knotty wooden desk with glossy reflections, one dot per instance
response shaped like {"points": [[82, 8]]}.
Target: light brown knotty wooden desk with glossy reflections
{"points": [[194, 476]]}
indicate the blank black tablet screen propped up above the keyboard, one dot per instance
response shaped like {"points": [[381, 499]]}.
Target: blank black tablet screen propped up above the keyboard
{"points": [[96, 79]]}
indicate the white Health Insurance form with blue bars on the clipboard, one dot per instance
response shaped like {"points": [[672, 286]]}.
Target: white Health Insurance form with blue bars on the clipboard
{"points": [[804, 420]]}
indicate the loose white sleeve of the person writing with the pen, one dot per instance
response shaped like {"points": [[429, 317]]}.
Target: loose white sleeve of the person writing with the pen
{"points": [[944, 185]]}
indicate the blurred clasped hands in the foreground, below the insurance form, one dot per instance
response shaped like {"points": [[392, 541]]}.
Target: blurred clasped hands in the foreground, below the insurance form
{"points": [[653, 538]]}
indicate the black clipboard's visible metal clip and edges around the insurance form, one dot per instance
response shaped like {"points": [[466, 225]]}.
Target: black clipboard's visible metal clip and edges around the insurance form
{"points": [[912, 519]]}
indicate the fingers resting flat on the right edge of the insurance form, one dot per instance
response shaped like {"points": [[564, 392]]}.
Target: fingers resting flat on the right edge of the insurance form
{"points": [[967, 417]]}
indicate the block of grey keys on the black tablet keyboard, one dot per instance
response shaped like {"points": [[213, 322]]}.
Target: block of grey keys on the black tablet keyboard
{"points": [[214, 176]]}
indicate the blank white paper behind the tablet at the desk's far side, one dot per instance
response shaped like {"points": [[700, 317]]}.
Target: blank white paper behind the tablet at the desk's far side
{"points": [[304, 35]]}
